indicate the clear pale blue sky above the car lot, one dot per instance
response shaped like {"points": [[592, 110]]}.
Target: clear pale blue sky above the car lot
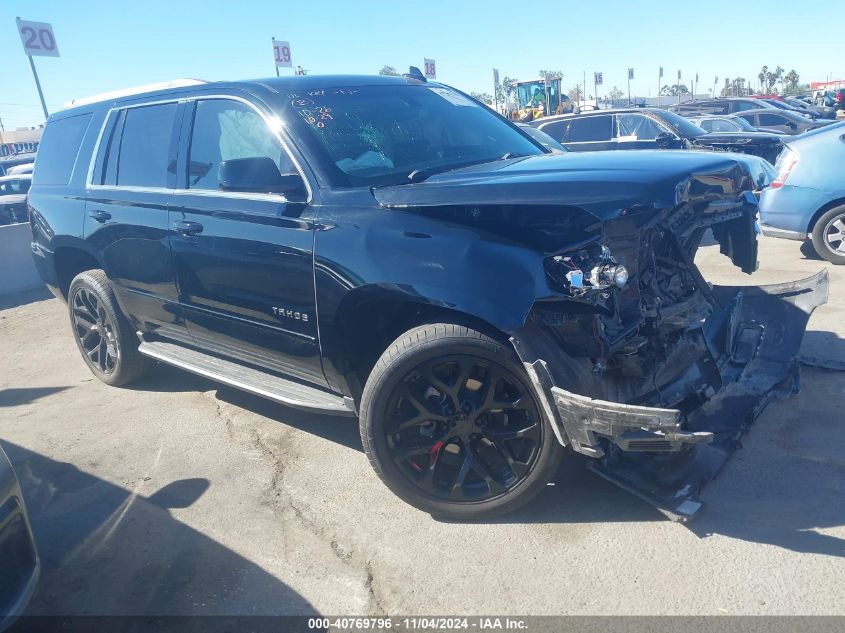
{"points": [[110, 45]]}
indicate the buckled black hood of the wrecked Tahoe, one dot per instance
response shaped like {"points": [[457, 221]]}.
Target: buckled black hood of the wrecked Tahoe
{"points": [[602, 183]]}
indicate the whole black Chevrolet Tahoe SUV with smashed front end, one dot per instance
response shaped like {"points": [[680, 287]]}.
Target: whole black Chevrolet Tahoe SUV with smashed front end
{"points": [[389, 248]]}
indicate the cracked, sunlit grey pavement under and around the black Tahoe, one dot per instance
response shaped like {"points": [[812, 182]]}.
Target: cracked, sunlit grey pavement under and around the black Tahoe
{"points": [[179, 496]]}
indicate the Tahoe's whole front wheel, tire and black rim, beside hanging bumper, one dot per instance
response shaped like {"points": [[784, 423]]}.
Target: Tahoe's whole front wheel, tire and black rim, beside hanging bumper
{"points": [[451, 425]]}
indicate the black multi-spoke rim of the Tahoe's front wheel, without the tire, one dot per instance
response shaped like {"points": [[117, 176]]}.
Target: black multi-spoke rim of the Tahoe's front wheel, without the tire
{"points": [[462, 428]]}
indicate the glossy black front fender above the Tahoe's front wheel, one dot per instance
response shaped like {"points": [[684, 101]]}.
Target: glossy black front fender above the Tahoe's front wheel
{"points": [[378, 257]]}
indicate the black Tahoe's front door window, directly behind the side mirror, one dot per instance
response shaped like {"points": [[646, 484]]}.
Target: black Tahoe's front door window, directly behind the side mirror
{"points": [[227, 130]]}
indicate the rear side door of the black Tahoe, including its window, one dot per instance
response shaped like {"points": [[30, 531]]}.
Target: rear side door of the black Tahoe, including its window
{"points": [[129, 188]]}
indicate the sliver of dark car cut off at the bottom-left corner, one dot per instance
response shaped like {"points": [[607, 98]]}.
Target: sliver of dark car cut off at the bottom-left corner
{"points": [[19, 564]]}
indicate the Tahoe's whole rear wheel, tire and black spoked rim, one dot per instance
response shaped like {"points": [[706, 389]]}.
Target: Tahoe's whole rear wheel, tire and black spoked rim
{"points": [[104, 336]]}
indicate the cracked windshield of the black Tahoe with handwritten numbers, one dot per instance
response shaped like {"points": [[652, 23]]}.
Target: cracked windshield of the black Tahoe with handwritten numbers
{"points": [[377, 135]]}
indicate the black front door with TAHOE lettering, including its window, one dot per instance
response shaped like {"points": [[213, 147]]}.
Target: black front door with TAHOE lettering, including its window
{"points": [[243, 260]]}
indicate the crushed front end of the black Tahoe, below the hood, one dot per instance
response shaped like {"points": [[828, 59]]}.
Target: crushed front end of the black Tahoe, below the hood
{"points": [[647, 368]]}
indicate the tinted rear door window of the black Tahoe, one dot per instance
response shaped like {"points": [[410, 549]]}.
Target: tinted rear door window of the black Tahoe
{"points": [[138, 153]]}
